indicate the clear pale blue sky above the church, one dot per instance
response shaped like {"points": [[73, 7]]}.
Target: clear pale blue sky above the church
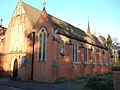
{"points": [[104, 15]]}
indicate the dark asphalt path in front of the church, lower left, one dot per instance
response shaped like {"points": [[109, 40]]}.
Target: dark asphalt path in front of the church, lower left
{"points": [[21, 85]]}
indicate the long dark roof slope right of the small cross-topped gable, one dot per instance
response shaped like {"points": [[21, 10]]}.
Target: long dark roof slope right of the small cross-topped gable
{"points": [[75, 33]]}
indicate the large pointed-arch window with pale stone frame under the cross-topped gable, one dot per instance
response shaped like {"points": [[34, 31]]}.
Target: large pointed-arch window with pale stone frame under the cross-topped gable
{"points": [[42, 39]]}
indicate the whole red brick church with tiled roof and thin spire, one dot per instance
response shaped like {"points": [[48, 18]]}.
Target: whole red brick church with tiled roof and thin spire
{"points": [[41, 47]]}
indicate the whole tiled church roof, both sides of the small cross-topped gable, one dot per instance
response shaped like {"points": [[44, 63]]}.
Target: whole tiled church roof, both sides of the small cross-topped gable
{"points": [[63, 27]]}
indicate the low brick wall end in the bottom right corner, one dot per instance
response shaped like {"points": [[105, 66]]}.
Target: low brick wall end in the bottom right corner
{"points": [[116, 78]]}
